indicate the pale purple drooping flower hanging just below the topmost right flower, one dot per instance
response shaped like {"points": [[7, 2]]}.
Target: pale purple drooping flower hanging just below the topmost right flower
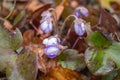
{"points": [[79, 27]]}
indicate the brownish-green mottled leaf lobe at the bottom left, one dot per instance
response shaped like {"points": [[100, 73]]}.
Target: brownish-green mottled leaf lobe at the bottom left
{"points": [[27, 65]]}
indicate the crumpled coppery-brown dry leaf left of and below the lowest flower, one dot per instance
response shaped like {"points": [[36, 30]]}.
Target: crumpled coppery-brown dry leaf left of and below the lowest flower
{"points": [[44, 63]]}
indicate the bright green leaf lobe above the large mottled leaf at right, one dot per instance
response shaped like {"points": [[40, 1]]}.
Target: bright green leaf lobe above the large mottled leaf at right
{"points": [[98, 40]]}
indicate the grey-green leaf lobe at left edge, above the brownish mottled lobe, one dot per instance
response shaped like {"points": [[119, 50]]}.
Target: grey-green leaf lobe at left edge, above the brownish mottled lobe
{"points": [[10, 40]]}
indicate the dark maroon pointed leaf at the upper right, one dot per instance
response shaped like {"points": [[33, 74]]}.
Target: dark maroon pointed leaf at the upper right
{"points": [[107, 22]]}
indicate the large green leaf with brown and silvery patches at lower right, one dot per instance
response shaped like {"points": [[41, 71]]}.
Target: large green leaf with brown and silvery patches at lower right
{"points": [[103, 61]]}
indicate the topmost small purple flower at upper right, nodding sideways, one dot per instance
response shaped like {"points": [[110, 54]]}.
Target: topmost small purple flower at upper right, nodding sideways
{"points": [[81, 11]]}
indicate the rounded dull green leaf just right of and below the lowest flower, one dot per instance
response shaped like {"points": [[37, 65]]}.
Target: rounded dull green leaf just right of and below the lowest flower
{"points": [[71, 59]]}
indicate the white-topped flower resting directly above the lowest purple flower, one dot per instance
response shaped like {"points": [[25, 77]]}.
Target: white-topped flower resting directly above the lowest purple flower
{"points": [[51, 41]]}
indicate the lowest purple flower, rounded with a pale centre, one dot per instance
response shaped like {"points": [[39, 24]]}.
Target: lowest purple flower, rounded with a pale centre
{"points": [[52, 51]]}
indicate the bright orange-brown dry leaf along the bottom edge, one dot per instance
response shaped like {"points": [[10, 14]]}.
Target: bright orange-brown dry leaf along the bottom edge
{"points": [[62, 74]]}
